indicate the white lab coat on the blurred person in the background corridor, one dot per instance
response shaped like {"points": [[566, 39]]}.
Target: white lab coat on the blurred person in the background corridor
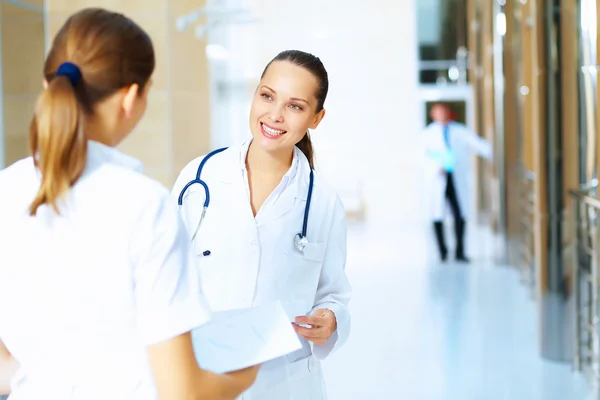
{"points": [[464, 144]]}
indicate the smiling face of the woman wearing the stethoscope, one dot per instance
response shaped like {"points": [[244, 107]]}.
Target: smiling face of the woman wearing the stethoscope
{"points": [[284, 107]]}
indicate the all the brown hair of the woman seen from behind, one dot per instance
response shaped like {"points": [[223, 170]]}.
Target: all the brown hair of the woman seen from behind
{"points": [[110, 52]]}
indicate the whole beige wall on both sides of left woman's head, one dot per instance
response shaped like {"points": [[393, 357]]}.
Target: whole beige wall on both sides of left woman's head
{"points": [[176, 126]]}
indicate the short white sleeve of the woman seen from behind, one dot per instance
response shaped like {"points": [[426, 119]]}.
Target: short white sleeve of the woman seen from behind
{"points": [[169, 300]]}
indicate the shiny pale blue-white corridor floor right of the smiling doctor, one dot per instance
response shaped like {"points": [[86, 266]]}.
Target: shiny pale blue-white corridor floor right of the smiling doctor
{"points": [[422, 331]]}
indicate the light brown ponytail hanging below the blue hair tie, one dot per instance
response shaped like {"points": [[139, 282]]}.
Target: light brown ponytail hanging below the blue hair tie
{"points": [[57, 142]]}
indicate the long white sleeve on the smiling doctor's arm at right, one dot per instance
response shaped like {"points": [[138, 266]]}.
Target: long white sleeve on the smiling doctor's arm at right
{"points": [[334, 290]]}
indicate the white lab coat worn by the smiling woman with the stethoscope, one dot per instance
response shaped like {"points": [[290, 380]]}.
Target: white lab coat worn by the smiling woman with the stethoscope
{"points": [[254, 261]]}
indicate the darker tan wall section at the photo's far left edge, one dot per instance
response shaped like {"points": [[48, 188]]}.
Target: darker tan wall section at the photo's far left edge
{"points": [[22, 32]]}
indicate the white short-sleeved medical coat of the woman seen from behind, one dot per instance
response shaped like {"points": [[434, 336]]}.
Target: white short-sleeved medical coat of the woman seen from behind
{"points": [[82, 295]]}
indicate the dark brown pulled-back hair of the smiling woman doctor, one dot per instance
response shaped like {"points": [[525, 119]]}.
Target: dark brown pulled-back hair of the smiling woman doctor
{"points": [[315, 66]]}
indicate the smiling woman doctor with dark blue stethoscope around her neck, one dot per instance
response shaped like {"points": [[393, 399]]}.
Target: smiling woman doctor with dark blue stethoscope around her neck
{"points": [[272, 229]]}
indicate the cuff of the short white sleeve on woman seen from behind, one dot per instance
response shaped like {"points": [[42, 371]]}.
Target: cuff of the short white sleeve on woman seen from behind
{"points": [[160, 326]]}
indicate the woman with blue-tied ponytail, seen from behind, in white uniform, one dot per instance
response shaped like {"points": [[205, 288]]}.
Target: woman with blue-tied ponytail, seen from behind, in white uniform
{"points": [[98, 288]]}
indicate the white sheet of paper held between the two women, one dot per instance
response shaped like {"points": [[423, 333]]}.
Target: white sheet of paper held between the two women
{"points": [[238, 339]]}
